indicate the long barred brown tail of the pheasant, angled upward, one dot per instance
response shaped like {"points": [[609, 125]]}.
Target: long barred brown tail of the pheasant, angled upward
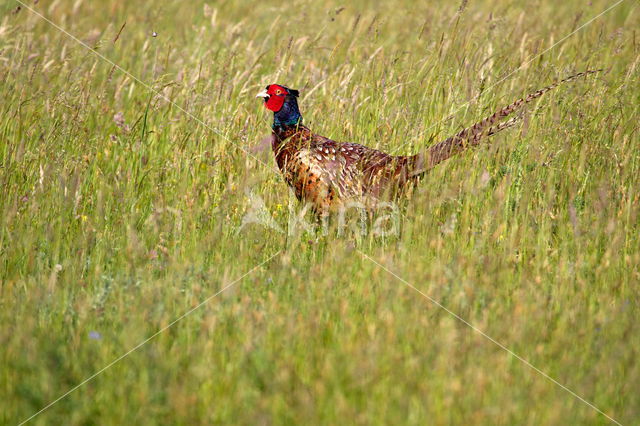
{"points": [[473, 136]]}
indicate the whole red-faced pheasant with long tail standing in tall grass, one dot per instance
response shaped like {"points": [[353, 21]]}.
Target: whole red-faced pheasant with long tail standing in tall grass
{"points": [[329, 174]]}
